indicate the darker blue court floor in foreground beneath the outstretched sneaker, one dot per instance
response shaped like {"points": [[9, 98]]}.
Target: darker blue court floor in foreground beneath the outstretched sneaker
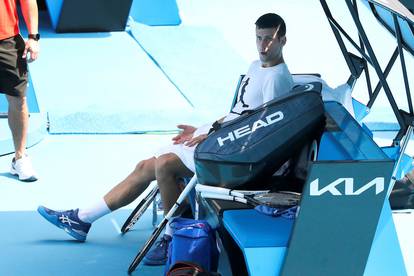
{"points": [[35, 249]]}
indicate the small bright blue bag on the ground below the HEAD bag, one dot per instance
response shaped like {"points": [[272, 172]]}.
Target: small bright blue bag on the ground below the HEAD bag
{"points": [[193, 241]]}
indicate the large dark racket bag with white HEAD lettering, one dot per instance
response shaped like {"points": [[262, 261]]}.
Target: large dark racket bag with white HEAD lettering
{"points": [[254, 145]]}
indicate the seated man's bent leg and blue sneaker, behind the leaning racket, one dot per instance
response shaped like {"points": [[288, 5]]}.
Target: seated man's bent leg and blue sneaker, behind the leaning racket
{"points": [[169, 168]]}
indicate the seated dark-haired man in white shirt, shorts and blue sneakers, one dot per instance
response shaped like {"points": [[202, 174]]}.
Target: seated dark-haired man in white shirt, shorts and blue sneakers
{"points": [[265, 80]]}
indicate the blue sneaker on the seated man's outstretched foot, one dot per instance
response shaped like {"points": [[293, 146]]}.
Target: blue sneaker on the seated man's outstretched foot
{"points": [[68, 221]]}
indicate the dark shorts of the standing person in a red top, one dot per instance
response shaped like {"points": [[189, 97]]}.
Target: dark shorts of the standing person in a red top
{"points": [[13, 68]]}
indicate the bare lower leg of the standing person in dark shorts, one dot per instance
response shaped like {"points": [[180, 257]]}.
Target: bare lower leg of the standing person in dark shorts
{"points": [[18, 123]]}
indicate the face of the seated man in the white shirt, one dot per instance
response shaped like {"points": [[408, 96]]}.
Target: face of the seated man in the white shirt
{"points": [[269, 46]]}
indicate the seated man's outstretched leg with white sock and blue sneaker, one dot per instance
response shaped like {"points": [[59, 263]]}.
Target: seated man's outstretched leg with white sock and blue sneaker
{"points": [[78, 222]]}
